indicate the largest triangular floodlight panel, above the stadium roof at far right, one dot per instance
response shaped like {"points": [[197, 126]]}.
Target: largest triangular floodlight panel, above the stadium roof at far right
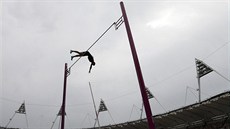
{"points": [[202, 68]]}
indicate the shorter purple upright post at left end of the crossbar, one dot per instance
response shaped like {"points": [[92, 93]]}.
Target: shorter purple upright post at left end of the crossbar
{"points": [[64, 98]]}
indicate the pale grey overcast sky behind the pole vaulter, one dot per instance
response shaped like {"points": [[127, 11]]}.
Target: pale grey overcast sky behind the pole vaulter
{"points": [[37, 35]]}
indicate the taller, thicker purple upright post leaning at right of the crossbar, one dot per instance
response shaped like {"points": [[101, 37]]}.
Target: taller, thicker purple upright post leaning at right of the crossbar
{"points": [[138, 70]]}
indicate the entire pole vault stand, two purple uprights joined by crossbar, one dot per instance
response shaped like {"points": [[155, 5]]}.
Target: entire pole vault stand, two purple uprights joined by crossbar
{"points": [[136, 63]]}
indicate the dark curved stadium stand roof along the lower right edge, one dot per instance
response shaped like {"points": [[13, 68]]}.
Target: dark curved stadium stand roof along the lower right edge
{"points": [[214, 109]]}
